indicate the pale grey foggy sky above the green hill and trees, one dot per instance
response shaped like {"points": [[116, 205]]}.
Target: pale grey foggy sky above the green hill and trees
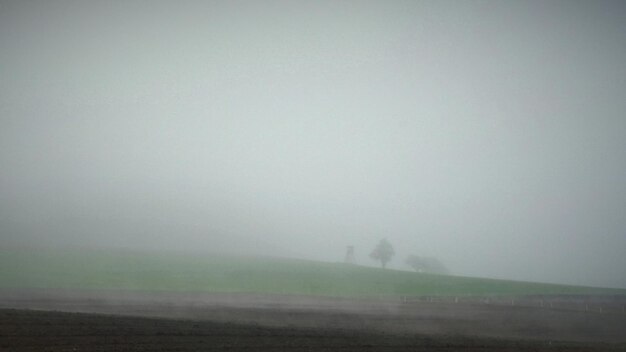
{"points": [[490, 135]]}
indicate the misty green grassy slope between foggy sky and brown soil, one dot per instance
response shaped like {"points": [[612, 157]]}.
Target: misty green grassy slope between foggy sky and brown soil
{"points": [[92, 269]]}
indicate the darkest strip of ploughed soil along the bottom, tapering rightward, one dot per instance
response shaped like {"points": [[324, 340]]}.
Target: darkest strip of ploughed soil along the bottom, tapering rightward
{"points": [[25, 330]]}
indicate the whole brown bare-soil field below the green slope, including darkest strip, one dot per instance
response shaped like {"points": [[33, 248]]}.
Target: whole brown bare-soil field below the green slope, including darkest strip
{"points": [[32, 321]]}
